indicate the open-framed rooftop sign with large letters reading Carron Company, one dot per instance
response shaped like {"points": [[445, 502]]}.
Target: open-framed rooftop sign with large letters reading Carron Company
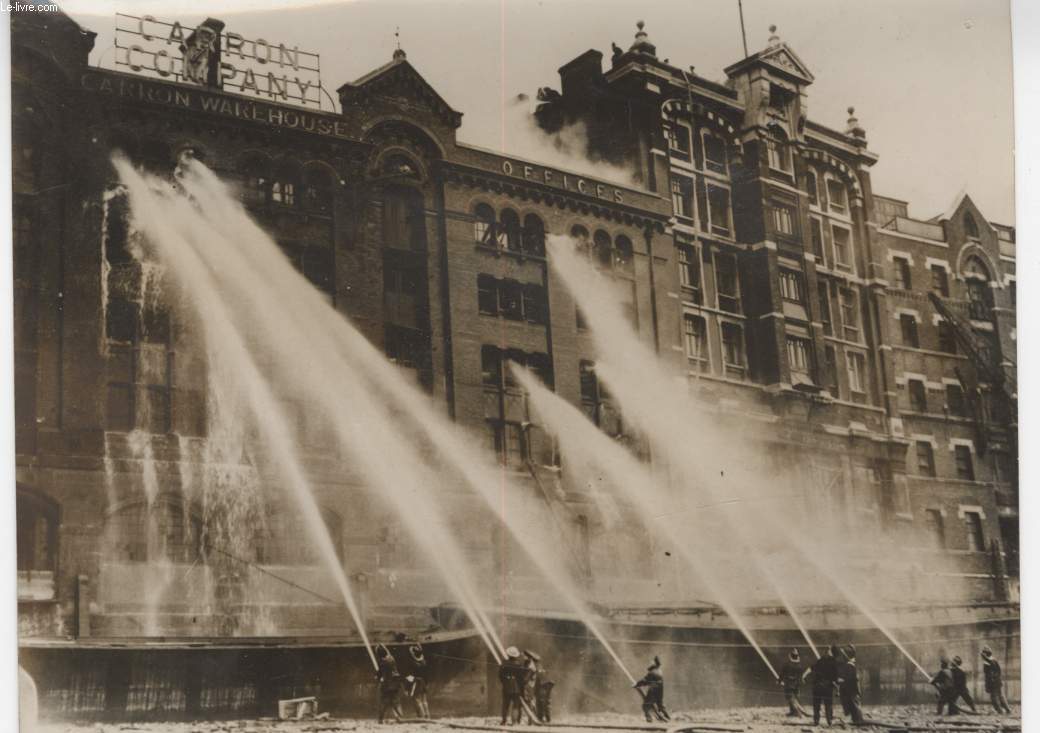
{"points": [[209, 56]]}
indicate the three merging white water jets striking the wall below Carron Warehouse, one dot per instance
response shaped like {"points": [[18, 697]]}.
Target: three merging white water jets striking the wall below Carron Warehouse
{"points": [[211, 245]]}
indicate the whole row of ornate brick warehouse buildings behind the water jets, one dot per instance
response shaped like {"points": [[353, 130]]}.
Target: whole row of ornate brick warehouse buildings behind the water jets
{"points": [[162, 569]]}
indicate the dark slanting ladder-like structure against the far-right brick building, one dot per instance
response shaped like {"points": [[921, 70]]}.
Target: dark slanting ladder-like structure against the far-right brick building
{"points": [[985, 356]]}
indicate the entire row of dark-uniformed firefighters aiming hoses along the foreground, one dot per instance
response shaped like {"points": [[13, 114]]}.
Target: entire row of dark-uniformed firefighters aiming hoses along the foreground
{"points": [[528, 689]]}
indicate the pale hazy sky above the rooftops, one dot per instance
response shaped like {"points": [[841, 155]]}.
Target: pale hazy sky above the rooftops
{"points": [[930, 80]]}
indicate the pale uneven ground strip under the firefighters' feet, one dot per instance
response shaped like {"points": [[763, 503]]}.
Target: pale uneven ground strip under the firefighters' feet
{"points": [[918, 719]]}
